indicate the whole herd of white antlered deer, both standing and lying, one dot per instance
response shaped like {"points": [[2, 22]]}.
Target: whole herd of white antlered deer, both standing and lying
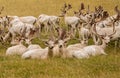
{"points": [[84, 25]]}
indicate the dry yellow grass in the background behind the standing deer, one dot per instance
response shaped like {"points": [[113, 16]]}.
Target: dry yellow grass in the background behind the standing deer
{"points": [[51, 7]]}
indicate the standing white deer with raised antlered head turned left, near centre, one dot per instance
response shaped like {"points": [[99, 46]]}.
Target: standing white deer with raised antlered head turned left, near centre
{"points": [[72, 22]]}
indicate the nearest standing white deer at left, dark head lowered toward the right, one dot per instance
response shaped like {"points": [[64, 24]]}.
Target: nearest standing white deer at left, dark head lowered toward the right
{"points": [[20, 28]]}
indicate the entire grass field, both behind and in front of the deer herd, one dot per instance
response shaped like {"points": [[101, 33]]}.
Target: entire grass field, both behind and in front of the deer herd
{"points": [[95, 67]]}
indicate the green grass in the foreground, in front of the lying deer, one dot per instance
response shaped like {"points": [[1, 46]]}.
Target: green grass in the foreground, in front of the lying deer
{"points": [[95, 67]]}
